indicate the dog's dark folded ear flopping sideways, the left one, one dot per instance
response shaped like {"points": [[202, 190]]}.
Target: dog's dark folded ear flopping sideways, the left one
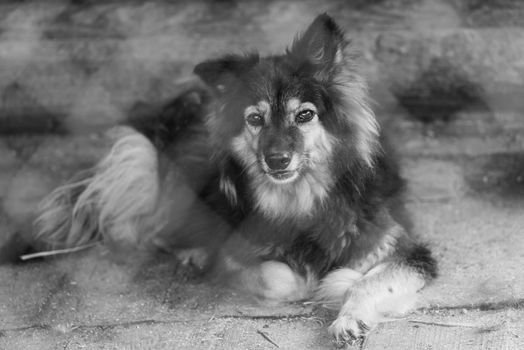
{"points": [[220, 73]]}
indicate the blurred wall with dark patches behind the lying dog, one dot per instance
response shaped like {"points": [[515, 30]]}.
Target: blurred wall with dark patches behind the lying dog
{"points": [[447, 76]]}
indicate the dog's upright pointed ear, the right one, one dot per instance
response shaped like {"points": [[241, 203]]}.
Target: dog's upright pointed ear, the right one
{"points": [[321, 45]]}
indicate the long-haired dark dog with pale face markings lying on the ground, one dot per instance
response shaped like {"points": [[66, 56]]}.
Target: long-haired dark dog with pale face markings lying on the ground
{"points": [[274, 170]]}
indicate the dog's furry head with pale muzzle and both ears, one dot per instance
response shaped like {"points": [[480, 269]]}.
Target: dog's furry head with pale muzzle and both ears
{"points": [[293, 120]]}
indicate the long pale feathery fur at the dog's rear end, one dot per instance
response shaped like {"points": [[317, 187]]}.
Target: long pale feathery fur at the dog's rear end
{"points": [[123, 187]]}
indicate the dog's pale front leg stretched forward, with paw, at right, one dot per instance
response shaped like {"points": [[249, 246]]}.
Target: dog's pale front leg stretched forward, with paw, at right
{"points": [[388, 289]]}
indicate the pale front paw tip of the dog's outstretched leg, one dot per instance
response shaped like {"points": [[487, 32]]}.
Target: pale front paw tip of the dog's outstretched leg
{"points": [[347, 330]]}
